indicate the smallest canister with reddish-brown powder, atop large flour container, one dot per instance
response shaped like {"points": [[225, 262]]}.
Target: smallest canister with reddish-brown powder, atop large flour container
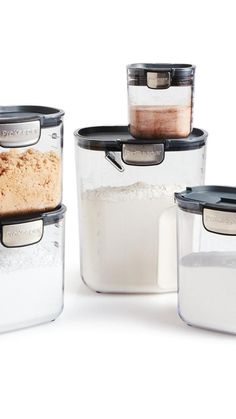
{"points": [[160, 100]]}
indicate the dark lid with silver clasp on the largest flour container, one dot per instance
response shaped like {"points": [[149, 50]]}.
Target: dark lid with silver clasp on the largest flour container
{"points": [[134, 151]]}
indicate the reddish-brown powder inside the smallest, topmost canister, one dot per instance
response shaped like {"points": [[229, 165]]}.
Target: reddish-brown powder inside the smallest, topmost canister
{"points": [[160, 121]]}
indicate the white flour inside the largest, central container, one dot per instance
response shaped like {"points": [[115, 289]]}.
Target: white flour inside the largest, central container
{"points": [[128, 238]]}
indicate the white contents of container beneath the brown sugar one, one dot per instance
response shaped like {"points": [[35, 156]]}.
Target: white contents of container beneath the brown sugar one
{"points": [[31, 284]]}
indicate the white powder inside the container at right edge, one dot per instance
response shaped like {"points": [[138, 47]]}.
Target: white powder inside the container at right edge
{"points": [[207, 290]]}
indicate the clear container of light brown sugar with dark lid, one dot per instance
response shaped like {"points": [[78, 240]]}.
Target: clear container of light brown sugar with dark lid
{"points": [[31, 141]]}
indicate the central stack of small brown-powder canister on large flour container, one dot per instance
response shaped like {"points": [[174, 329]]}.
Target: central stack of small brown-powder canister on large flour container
{"points": [[127, 177]]}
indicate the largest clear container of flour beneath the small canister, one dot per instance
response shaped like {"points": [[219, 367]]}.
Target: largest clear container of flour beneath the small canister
{"points": [[127, 214]]}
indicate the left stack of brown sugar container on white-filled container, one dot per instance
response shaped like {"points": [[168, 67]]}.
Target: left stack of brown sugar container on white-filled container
{"points": [[31, 216]]}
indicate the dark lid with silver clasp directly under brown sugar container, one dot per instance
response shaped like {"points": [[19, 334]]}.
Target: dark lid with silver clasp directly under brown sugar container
{"points": [[25, 230]]}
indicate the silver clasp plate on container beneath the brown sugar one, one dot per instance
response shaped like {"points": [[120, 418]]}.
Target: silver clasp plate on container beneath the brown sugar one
{"points": [[22, 234]]}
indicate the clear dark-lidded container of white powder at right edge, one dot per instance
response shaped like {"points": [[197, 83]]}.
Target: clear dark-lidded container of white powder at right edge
{"points": [[207, 257]]}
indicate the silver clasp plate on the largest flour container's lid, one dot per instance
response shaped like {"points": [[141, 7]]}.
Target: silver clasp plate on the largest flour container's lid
{"points": [[143, 154]]}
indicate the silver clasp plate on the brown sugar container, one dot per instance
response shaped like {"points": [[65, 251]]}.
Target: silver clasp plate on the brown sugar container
{"points": [[19, 134]]}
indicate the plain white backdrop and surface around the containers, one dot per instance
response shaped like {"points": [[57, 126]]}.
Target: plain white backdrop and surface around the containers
{"points": [[115, 357]]}
